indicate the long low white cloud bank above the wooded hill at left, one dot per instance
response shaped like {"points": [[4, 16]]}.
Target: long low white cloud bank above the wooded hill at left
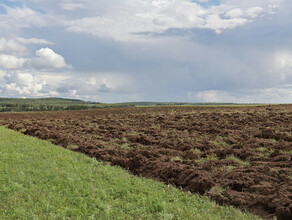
{"points": [[32, 83]]}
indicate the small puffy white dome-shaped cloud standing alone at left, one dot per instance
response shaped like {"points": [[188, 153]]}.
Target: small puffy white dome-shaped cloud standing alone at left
{"points": [[47, 58]]}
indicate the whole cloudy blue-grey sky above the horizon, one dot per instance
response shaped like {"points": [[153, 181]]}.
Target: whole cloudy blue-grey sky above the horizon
{"points": [[147, 50]]}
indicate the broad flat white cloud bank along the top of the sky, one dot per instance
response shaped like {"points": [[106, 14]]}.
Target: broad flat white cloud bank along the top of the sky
{"points": [[124, 20]]}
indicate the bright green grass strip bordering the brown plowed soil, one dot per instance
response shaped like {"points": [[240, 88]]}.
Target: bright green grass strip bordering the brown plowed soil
{"points": [[41, 181]]}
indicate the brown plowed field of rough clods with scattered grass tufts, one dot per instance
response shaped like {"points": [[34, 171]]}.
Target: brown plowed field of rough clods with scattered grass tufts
{"points": [[235, 155]]}
